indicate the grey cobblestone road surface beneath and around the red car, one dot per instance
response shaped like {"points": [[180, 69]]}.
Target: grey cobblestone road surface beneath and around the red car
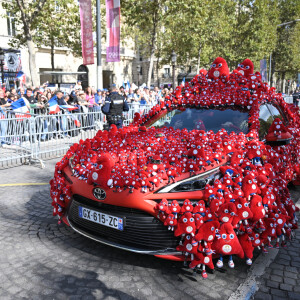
{"points": [[40, 259]]}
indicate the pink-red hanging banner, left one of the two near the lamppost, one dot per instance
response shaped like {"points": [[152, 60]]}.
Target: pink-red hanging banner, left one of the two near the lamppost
{"points": [[86, 32]]}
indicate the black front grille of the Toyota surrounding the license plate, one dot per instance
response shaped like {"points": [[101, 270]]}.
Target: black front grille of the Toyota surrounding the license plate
{"points": [[141, 230]]}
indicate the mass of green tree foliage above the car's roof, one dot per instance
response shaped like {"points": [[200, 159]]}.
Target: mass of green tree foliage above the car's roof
{"points": [[234, 29]]}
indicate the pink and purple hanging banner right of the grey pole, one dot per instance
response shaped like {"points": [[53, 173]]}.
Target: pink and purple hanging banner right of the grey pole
{"points": [[112, 30]]}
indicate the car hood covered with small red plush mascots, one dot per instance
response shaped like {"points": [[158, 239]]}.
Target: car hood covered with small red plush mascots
{"points": [[147, 159]]}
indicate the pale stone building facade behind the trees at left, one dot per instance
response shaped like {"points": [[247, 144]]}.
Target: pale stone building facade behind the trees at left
{"points": [[18, 60]]}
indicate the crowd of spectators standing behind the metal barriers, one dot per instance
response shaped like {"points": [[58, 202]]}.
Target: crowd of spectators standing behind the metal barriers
{"points": [[36, 99]]}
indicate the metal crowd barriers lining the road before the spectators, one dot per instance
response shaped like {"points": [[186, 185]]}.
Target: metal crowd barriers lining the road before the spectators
{"points": [[27, 139]]}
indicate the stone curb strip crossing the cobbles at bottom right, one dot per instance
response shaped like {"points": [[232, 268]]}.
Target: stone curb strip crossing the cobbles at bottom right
{"points": [[249, 287]]}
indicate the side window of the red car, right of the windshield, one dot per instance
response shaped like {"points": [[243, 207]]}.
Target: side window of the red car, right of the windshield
{"points": [[267, 114]]}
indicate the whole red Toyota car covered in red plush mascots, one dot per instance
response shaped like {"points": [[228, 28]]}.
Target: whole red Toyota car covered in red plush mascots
{"points": [[202, 174]]}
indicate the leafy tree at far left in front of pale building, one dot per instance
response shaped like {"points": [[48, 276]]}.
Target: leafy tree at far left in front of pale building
{"points": [[45, 23]]}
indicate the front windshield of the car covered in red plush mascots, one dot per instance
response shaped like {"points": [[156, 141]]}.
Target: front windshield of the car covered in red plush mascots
{"points": [[206, 119]]}
